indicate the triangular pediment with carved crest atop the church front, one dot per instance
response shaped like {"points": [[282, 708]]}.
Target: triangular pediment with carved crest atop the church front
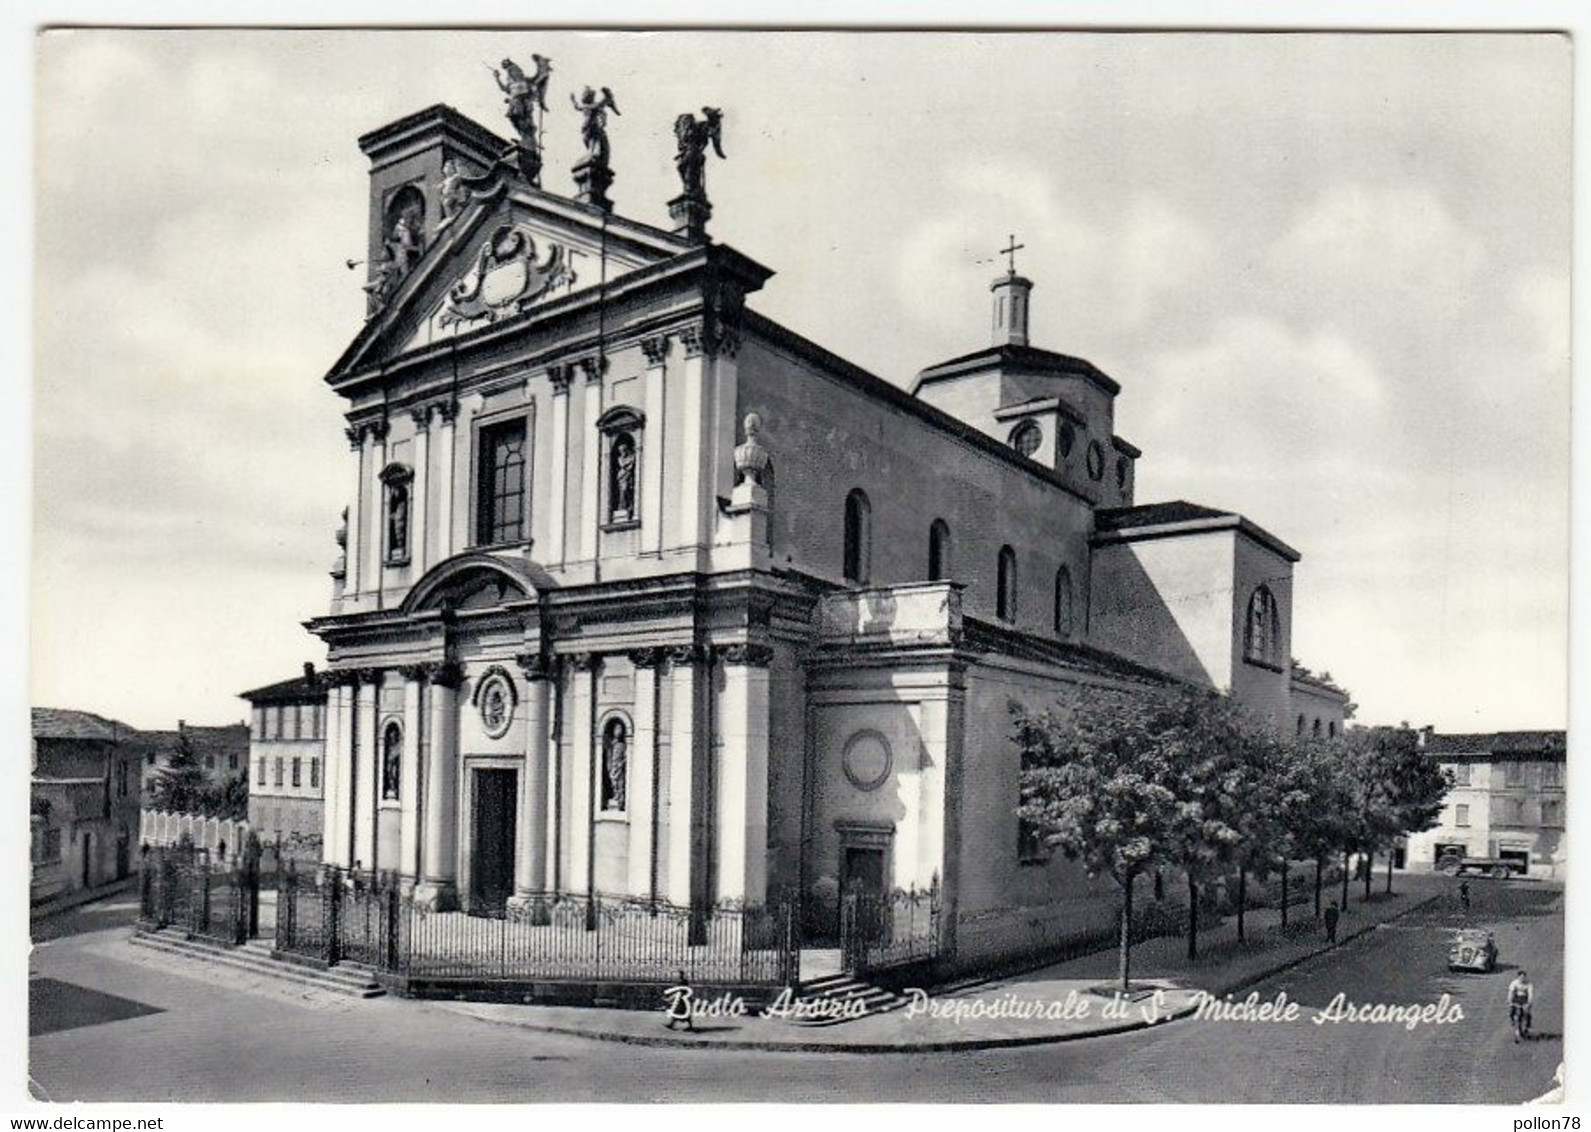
{"points": [[500, 260]]}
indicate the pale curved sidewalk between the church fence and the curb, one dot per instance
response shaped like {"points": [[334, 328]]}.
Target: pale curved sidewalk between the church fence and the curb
{"points": [[1008, 1012]]}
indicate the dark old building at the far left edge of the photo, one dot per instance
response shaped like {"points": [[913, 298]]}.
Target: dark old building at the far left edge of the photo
{"points": [[84, 802]]}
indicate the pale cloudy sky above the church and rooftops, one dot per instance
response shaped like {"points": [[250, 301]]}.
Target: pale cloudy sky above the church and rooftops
{"points": [[1329, 271]]}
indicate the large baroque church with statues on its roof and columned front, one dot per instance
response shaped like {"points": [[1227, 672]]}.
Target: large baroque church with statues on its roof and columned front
{"points": [[645, 595]]}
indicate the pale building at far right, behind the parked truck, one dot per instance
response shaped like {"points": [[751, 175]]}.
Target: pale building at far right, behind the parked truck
{"points": [[1507, 801]]}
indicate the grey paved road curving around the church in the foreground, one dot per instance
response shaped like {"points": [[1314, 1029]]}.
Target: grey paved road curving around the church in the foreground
{"points": [[112, 1025]]}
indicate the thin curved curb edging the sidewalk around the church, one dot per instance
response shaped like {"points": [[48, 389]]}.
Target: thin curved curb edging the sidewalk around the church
{"points": [[682, 1042]]}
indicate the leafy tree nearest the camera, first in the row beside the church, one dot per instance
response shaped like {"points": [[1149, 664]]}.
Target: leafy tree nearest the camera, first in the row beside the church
{"points": [[1097, 783]]}
